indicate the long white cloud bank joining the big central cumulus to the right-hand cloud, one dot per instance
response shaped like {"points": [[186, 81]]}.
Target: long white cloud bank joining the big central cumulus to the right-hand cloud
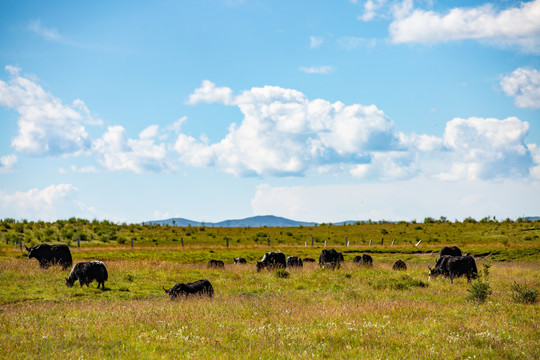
{"points": [[283, 133]]}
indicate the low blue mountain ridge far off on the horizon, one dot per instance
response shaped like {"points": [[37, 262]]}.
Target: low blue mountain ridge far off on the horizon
{"points": [[255, 221]]}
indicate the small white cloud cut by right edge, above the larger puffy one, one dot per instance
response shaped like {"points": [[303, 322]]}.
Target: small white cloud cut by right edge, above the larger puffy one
{"points": [[524, 86]]}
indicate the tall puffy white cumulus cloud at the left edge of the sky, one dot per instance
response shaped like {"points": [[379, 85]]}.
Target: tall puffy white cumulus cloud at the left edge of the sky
{"points": [[47, 127]]}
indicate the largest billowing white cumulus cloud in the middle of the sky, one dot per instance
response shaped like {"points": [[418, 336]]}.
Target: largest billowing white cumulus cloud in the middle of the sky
{"points": [[285, 133]]}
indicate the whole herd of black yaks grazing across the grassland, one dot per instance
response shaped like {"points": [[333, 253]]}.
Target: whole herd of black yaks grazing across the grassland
{"points": [[451, 263]]}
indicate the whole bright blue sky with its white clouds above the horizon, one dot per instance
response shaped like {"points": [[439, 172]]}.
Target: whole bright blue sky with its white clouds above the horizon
{"points": [[313, 110]]}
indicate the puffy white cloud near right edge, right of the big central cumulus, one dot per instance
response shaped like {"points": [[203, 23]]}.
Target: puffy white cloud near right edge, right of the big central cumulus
{"points": [[487, 148]]}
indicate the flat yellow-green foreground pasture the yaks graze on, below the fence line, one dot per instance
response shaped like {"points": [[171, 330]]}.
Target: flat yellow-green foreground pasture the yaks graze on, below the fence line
{"points": [[312, 313]]}
